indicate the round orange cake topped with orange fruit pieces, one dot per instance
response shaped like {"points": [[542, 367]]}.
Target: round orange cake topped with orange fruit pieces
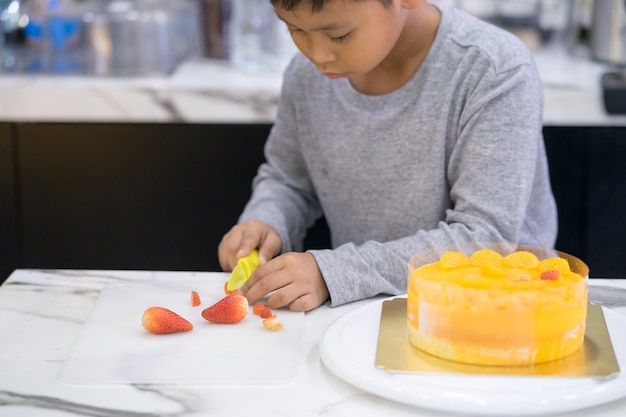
{"points": [[489, 309]]}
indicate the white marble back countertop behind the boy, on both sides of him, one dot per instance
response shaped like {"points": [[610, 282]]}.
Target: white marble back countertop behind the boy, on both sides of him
{"points": [[211, 91]]}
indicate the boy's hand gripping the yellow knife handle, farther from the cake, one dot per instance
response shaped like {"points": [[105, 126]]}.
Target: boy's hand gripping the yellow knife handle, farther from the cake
{"points": [[243, 238]]}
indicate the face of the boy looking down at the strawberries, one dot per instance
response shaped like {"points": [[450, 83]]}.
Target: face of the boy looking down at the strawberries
{"points": [[347, 38]]}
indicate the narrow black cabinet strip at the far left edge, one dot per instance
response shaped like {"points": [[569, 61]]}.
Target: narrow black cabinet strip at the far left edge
{"points": [[8, 214]]}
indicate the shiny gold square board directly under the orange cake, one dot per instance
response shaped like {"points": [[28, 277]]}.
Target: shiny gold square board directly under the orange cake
{"points": [[394, 353]]}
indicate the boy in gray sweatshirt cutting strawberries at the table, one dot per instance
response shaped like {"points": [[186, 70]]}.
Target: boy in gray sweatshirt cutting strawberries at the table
{"points": [[409, 127]]}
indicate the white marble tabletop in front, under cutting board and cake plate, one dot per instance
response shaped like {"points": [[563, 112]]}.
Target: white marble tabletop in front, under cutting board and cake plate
{"points": [[42, 313]]}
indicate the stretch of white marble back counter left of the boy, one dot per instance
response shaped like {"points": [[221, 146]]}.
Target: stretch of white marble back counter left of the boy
{"points": [[206, 91]]}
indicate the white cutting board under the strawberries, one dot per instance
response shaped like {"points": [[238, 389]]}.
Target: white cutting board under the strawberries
{"points": [[114, 348]]}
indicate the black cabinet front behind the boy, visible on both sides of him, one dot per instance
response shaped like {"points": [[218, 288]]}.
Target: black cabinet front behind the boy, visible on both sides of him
{"points": [[161, 196]]}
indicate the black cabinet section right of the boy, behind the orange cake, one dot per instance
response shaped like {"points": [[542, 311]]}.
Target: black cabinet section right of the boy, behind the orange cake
{"points": [[588, 173]]}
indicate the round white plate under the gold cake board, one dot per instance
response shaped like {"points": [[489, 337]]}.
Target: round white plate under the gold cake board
{"points": [[348, 349]]}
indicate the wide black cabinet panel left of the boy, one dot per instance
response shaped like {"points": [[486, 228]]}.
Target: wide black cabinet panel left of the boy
{"points": [[133, 196]]}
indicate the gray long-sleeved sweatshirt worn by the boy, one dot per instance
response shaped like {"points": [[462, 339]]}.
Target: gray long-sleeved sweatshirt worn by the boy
{"points": [[455, 155]]}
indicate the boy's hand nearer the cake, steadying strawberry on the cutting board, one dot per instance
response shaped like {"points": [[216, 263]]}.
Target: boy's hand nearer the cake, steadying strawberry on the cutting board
{"points": [[295, 280]]}
